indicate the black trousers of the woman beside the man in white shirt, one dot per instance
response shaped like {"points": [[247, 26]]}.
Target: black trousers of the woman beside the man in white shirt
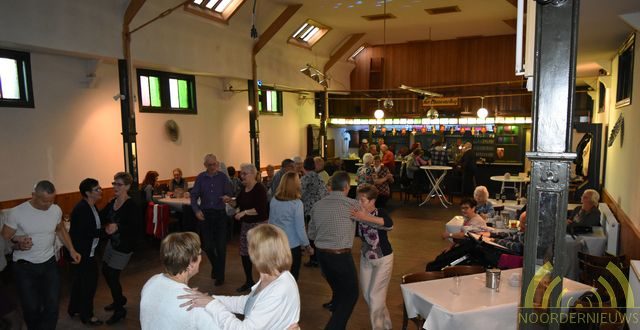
{"points": [[83, 287]]}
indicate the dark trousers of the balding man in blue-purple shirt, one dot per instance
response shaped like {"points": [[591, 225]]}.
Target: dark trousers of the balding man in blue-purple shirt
{"points": [[213, 234]]}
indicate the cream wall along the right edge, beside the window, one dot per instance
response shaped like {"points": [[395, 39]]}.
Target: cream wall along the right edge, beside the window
{"points": [[622, 180]]}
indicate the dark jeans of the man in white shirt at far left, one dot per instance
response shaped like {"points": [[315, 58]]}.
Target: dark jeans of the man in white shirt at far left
{"points": [[39, 290]]}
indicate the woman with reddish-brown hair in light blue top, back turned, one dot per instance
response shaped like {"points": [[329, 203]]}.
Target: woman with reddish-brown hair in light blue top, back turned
{"points": [[287, 212]]}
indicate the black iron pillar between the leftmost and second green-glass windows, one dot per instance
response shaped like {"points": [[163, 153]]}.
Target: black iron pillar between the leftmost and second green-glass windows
{"points": [[128, 120]]}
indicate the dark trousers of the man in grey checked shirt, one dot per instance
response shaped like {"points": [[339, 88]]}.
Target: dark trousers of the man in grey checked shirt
{"points": [[340, 272]]}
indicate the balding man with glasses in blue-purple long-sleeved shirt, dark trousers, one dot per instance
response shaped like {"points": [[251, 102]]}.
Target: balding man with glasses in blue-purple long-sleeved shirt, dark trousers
{"points": [[212, 188]]}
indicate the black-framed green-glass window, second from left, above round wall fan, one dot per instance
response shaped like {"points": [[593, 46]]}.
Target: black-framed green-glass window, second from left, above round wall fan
{"points": [[165, 95]]}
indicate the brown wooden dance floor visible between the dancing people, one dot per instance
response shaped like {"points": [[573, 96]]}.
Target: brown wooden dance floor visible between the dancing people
{"points": [[415, 240]]}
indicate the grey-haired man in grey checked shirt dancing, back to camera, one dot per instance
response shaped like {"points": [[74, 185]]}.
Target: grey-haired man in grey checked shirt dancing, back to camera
{"points": [[333, 230]]}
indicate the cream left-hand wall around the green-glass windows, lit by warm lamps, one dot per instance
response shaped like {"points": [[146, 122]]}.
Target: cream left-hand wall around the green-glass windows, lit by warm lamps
{"points": [[74, 131]]}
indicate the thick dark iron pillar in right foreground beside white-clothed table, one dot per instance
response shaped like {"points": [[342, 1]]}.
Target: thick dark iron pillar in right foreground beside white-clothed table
{"points": [[545, 258]]}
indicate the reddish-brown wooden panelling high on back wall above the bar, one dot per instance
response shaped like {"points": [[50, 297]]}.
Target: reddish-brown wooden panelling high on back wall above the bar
{"points": [[443, 62]]}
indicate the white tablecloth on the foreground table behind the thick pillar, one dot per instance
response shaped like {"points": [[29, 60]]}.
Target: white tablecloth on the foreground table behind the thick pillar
{"points": [[477, 307]]}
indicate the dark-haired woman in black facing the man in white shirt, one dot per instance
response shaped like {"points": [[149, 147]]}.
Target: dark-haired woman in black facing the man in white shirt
{"points": [[85, 234]]}
